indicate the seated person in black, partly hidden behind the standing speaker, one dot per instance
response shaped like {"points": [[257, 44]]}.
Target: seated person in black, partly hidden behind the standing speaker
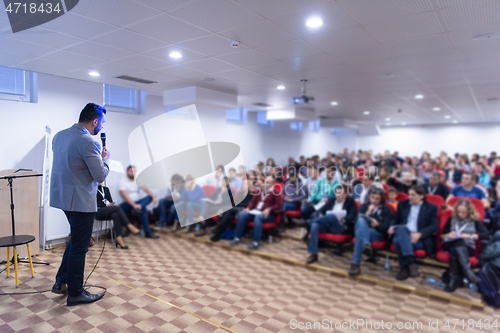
{"points": [[107, 210]]}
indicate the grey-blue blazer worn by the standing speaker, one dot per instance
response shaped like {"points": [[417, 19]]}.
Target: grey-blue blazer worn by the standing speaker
{"points": [[77, 168]]}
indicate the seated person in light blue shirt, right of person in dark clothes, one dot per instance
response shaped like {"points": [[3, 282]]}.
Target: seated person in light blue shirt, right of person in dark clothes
{"points": [[190, 201]]}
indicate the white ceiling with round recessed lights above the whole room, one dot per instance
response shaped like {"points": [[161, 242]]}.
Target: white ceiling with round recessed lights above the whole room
{"points": [[371, 55]]}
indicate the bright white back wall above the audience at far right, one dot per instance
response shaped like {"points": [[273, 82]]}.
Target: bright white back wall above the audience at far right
{"points": [[412, 141]]}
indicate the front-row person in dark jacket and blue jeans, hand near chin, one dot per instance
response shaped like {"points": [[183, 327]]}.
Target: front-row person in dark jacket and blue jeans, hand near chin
{"points": [[374, 219]]}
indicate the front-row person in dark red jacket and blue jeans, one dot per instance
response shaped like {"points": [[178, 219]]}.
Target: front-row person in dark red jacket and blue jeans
{"points": [[265, 203]]}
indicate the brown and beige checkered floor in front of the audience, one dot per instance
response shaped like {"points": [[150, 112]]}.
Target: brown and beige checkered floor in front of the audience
{"points": [[177, 285]]}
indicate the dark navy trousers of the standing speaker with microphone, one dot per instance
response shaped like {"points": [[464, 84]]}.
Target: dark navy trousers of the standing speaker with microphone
{"points": [[73, 262]]}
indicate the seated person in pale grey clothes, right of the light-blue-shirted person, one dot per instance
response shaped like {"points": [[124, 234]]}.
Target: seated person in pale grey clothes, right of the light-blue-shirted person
{"points": [[222, 197]]}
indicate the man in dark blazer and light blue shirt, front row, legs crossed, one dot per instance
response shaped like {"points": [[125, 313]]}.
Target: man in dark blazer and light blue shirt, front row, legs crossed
{"points": [[414, 227]]}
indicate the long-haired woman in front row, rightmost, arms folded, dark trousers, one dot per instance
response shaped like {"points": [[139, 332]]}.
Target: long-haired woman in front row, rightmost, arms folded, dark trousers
{"points": [[459, 235]]}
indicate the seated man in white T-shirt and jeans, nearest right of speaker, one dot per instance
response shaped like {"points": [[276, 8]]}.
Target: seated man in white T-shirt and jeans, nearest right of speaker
{"points": [[137, 197]]}
